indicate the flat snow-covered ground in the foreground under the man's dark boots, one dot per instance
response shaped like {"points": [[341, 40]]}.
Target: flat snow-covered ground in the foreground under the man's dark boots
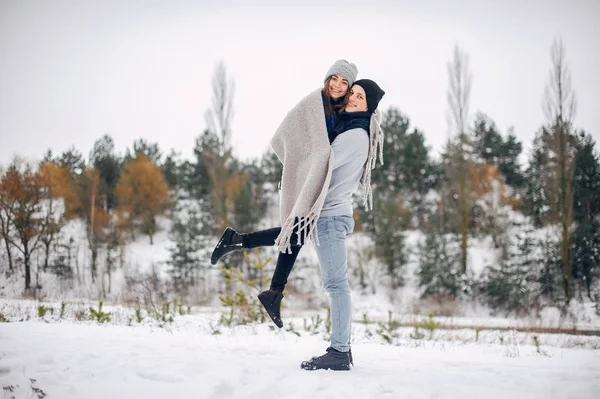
{"points": [[74, 359]]}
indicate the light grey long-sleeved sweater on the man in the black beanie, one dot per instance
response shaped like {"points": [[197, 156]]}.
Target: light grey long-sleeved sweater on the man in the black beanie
{"points": [[350, 152]]}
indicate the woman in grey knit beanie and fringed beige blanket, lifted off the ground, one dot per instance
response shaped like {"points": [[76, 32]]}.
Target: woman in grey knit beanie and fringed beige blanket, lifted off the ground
{"points": [[329, 101]]}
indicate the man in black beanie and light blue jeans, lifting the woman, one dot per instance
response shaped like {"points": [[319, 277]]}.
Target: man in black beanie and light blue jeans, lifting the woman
{"points": [[355, 142]]}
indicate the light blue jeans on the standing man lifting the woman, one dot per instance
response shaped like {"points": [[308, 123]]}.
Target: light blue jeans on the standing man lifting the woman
{"points": [[332, 254]]}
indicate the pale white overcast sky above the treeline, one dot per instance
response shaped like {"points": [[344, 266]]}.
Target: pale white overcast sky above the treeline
{"points": [[71, 71]]}
